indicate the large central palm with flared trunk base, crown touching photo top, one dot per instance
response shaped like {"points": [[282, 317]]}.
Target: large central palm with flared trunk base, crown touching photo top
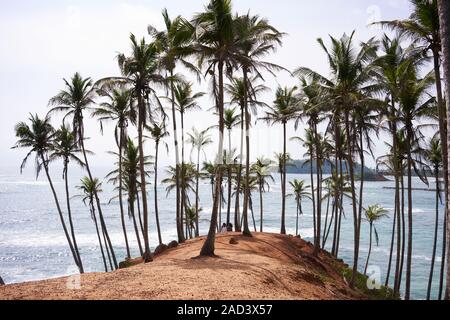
{"points": [[215, 40]]}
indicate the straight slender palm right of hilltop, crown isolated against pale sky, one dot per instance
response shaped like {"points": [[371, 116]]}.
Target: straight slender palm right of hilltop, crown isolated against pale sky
{"points": [[285, 108]]}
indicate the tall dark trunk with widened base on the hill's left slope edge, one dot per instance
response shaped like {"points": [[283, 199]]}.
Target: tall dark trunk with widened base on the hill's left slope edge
{"points": [[147, 253]]}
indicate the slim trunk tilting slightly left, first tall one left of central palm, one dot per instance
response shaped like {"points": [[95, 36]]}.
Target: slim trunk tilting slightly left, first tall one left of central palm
{"points": [[179, 220]]}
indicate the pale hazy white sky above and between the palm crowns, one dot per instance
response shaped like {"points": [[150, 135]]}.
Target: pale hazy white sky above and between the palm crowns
{"points": [[43, 41]]}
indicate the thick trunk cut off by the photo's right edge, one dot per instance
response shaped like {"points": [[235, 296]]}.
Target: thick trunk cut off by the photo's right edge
{"points": [[444, 13]]}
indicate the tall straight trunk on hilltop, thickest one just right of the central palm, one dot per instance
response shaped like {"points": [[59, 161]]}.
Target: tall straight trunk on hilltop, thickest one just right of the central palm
{"points": [[246, 231]]}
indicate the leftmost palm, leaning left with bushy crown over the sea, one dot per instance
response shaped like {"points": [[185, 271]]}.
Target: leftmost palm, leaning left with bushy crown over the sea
{"points": [[38, 137]]}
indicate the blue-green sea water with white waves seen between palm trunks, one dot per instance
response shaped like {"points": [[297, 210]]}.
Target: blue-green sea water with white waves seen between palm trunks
{"points": [[33, 246]]}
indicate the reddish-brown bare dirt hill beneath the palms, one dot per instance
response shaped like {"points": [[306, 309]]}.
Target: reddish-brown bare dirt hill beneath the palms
{"points": [[267, 266]]}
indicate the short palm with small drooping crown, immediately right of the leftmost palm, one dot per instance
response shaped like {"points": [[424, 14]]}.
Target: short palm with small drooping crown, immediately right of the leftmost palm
{"points": [[66, 148]]}
